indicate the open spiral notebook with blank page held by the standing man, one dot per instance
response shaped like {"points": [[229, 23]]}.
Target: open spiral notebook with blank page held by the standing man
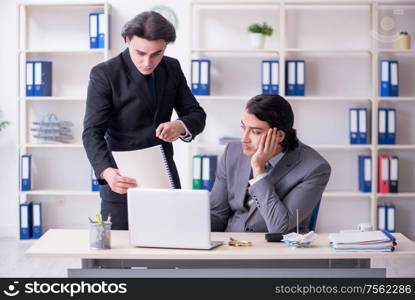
{"points": [[148, 166]]}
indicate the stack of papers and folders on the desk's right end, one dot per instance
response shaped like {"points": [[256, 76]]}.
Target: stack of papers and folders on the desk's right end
{"points": [[363, 241]]}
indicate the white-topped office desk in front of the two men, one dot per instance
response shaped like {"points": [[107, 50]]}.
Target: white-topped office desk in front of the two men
{"points": [[263, 259]]}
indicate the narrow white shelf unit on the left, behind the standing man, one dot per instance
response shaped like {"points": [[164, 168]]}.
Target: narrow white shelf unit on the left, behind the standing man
{"points": [[71, 61]]}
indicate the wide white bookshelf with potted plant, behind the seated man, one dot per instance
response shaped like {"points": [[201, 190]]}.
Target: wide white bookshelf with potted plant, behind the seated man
{"points": [[339, 41]]}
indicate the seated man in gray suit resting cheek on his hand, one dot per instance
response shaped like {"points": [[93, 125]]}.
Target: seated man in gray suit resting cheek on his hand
{"points": [[262, 180]]}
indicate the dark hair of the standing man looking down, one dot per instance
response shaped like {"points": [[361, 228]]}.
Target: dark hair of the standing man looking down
{"points": [[151, 26]]}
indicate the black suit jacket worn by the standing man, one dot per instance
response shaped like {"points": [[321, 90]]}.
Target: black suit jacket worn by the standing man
{"points": [[121, 115]]}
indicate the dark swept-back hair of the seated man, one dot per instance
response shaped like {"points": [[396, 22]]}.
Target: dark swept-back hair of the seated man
{"points": [[277, 112]]}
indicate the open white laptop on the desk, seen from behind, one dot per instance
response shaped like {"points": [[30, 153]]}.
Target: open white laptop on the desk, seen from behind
{"points": [[169, 218]]}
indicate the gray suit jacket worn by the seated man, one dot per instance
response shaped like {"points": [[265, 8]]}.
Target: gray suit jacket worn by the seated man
{"points": [[297, 181]]}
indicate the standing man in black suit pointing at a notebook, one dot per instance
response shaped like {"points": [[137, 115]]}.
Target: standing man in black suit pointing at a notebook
{"points": [[130, 101]]}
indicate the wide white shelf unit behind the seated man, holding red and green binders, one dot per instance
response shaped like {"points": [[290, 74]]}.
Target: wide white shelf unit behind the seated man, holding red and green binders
{"points": [[286, 16]]}
